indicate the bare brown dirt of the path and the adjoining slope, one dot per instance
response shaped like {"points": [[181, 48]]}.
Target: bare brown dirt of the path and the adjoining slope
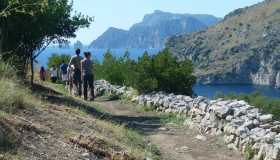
{"points": [[46, 131]]}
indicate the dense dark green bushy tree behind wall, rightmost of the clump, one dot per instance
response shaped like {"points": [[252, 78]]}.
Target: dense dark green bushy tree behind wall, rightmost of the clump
{"points": [[173, 75]]}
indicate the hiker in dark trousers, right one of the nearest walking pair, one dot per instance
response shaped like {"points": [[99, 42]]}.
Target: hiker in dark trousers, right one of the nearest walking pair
{"points": [[87, 76]]}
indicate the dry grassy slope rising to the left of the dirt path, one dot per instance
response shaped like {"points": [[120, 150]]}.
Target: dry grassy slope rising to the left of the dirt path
{"points": [[48, 110]]}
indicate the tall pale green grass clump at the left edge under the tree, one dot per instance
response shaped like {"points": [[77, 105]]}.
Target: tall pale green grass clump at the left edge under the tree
{"points": [[14, 97]]}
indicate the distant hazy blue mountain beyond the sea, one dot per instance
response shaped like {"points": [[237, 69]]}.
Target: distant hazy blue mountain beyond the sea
{"points": [[153, 30]]}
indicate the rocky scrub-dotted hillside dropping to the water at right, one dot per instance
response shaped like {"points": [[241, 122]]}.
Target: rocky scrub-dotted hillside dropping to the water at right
{"points": [[243, 48]]}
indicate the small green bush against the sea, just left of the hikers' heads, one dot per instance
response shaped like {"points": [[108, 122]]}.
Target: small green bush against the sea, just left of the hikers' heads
{"points": [[56, 60]]}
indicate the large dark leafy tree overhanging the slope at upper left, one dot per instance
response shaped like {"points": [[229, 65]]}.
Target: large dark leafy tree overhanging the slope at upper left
{"points": [[53, 23]]}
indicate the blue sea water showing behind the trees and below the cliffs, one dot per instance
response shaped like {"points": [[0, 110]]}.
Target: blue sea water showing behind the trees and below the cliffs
{"points": [[203, 90]]}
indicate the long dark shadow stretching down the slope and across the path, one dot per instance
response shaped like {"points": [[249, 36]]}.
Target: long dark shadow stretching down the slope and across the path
{"points": [[140, 123]]}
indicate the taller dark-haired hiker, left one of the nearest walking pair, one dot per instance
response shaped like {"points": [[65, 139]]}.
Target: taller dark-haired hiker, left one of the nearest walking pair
{"points": [[75, 64]]}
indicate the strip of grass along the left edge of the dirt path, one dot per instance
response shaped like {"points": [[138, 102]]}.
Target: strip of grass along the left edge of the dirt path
{"points": [[130, 139]]}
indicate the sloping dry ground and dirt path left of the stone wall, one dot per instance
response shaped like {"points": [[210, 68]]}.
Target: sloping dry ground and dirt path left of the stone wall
{"points": [[47, 123]]}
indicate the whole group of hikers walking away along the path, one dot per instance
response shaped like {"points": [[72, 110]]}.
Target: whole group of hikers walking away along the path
{"points": [[77, 75]]}
